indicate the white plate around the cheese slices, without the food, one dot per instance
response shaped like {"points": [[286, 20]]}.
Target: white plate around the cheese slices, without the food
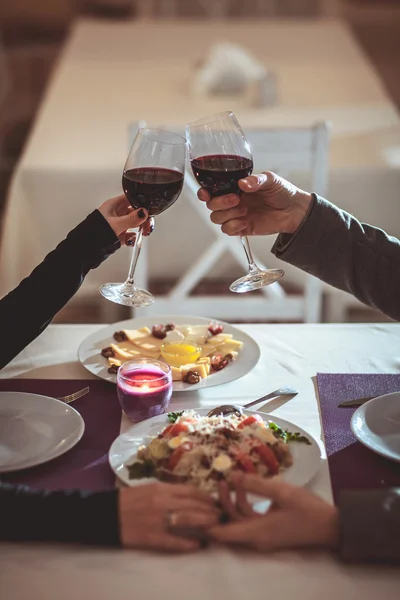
{"points": [[89, 352]]}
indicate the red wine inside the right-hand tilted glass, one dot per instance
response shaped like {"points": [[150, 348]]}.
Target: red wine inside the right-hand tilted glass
{"points": [[219, 173]]}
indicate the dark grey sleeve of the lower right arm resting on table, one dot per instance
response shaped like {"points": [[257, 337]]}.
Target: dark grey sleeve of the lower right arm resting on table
{"points": [[370, 526]]}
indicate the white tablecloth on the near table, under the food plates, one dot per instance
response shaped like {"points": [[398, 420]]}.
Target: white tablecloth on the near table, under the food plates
{"points": [[291, 354]]}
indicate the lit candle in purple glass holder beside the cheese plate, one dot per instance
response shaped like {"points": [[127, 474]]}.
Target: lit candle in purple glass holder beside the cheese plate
{"points": [[144, 388]]}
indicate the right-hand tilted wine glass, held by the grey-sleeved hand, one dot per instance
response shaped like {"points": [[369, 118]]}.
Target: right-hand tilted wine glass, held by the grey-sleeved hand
{"points": [[220, 155]]}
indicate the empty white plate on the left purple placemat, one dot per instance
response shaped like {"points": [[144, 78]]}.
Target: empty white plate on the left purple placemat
{"points": [[35, 429]]}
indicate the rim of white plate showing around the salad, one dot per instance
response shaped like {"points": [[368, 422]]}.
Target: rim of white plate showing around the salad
{"points": [[306, 458]]}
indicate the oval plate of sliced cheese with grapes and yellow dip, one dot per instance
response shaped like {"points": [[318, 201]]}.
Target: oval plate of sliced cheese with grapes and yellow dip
{"points": [[201, 352]]}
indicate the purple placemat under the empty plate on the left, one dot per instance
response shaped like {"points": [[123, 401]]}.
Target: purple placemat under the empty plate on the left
{"points": [[85, 466]]}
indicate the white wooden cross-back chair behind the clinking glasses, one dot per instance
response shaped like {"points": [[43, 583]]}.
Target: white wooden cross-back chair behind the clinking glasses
{"points": [[284, 151]]}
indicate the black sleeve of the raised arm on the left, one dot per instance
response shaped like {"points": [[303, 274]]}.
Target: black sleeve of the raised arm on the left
{"points": [[28, 309]]}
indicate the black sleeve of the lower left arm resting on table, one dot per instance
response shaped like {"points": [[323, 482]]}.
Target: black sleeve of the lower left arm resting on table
{"points": [[66, 516]]}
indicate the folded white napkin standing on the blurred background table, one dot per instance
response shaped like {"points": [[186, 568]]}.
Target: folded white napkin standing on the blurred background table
{"points": [[227, 69]]}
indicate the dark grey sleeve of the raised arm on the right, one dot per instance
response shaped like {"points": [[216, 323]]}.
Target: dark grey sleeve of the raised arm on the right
{"points": [[352, 256]]}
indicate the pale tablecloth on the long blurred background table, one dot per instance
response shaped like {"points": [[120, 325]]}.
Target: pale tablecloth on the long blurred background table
{"points": [[112, 74]]}
